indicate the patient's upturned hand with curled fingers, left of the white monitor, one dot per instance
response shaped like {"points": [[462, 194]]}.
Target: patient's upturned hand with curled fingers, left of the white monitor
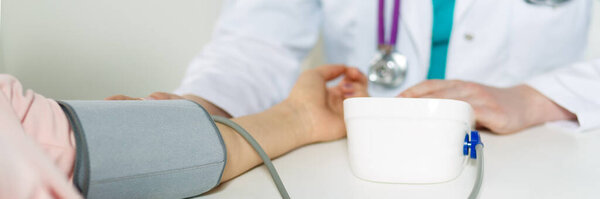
{"points": [[322, 107]]}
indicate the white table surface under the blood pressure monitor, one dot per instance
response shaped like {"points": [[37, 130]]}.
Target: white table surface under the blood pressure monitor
{"points": [[541, 162]]}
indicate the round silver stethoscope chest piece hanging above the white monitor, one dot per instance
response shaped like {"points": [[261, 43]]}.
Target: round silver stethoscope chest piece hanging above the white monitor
{"points": [[388, 69]]}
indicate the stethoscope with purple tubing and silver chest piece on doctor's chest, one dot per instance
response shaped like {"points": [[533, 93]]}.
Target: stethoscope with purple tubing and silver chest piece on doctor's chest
{"points": [[389, 67]]}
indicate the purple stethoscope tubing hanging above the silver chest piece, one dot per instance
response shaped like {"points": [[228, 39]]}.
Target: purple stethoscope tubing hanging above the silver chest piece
{"points": [[381, 24]]}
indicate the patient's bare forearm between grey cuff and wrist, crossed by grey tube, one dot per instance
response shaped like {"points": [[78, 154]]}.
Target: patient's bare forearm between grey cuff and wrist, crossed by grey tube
{"points": [[278, 130]]}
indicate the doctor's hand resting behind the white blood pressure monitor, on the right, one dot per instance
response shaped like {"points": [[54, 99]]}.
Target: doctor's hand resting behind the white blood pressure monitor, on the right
{"points": [[502, 110]]}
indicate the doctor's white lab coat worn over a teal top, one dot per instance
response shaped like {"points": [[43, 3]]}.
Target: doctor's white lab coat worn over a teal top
{"points": [[254, 56]]}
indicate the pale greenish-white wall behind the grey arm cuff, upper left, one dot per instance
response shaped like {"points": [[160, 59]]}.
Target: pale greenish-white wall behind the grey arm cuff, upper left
{"points": [[90, 49]]}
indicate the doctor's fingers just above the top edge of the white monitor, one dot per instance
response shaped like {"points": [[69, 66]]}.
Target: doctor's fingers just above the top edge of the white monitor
{"points": [[430, 86]]}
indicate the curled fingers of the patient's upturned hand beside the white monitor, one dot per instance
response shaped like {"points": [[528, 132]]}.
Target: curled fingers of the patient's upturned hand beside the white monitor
{"points": [[354, 84]]}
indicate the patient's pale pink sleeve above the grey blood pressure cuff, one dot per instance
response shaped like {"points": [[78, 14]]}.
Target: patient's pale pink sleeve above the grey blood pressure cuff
{"points": [[37, 150]]}
